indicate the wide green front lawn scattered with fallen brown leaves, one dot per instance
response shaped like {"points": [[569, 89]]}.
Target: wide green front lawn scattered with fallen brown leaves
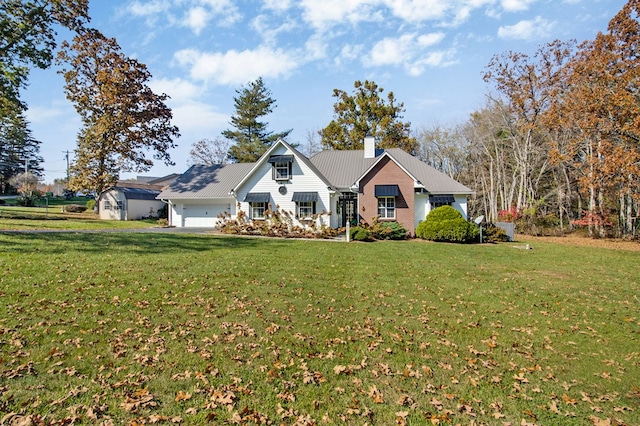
{"points": [[166, 328]]}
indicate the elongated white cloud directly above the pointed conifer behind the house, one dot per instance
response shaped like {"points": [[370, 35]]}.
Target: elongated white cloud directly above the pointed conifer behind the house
{"points": [[237, 67]]}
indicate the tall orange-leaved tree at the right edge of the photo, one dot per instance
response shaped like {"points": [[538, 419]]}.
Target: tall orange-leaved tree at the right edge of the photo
{"points": [[598, 114]]}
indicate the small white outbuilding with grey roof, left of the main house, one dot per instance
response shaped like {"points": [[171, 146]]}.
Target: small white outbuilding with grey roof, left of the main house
{"points": [[129, 201]]}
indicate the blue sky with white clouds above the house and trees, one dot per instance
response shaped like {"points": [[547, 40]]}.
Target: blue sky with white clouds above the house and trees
{"points": [[429, 53]]}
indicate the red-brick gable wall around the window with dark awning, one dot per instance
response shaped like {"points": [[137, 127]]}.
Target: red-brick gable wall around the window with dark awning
{"points": [[387, 172]]}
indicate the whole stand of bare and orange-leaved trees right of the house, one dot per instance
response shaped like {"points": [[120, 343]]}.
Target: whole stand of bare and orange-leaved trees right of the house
{"points": [[564, 131]]}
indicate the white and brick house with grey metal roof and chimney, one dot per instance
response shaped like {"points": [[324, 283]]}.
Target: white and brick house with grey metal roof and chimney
{"points": [[330, 188]]}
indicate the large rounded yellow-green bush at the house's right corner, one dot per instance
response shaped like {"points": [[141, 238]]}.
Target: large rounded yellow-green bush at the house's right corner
{"points": [[446, 224]]}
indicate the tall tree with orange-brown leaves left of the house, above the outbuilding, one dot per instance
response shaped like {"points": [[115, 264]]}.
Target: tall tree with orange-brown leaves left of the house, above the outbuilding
{"points": [[122, 117]]}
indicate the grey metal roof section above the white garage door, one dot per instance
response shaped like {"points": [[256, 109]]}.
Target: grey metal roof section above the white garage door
{"points": [[202, 181]]}
